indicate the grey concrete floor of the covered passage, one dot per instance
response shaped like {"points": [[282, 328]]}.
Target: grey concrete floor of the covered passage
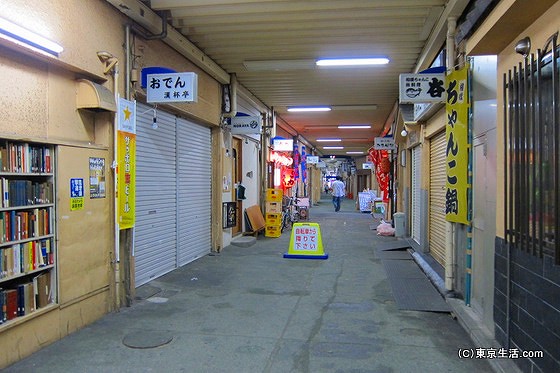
{"points": [[248, 309]]}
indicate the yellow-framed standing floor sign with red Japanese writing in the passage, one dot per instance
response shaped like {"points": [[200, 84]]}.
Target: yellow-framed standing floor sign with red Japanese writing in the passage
{"points": [[305, 242]]}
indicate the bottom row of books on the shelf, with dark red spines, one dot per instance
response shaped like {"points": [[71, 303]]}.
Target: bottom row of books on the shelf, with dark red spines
{"points": [[25, 298]]}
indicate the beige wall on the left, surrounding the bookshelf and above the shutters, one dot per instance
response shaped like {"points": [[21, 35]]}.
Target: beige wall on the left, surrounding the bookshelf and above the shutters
{"points": [[38, 102]]}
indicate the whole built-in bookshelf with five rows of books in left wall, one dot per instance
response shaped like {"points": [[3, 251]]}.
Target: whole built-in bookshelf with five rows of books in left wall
{"points": [[27, 231]]}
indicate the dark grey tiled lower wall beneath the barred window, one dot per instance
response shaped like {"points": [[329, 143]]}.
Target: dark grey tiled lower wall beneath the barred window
{"points": [[534, 307]]}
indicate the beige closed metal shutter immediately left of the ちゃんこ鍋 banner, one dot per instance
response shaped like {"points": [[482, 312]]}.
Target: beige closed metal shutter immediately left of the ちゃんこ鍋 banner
{"points": [[437, 198]]}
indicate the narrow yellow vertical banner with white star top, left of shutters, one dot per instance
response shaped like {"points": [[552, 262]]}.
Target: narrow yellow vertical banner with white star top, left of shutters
{"points": [[126, 163]]}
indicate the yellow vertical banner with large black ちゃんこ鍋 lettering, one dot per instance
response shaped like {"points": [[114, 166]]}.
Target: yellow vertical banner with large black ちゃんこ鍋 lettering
{"points": [[457, 151]]}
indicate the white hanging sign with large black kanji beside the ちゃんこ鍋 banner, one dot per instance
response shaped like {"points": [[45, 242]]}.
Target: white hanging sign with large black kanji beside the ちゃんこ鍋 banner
{"points": [[415, 88]]}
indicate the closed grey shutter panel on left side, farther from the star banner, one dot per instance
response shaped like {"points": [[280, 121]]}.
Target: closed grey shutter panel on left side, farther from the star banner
{"points": [[194, 175]]}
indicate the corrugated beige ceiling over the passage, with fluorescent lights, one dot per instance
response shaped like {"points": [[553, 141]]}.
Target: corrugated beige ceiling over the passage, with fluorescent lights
{"points": [[232, 32]]}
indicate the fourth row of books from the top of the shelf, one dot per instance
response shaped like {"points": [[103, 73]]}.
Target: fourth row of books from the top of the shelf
{"points": [[25, 257]]}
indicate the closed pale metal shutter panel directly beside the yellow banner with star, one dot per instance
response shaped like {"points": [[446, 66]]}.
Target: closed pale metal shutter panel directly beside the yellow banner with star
{"points": [[156, 215]]}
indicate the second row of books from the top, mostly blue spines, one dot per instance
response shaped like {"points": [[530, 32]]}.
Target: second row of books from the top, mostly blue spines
{"points": [[25, 192]]}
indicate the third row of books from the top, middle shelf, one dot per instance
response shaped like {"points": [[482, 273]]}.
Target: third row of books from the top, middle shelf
{"points": [[21, 225]]}
